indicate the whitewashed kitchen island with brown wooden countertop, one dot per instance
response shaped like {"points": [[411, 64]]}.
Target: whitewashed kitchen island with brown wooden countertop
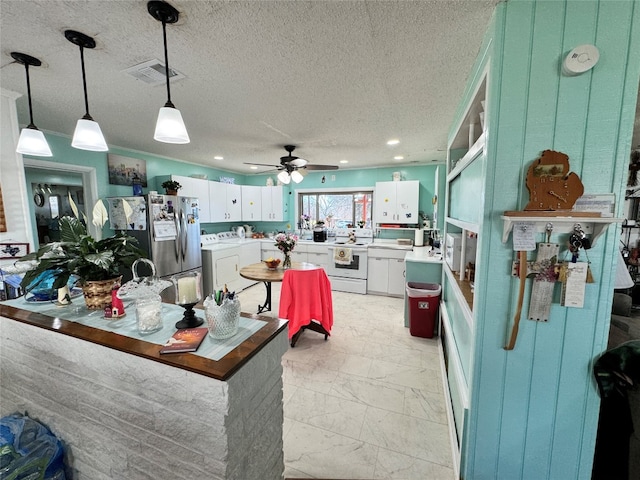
{"points": [[125, 411]]}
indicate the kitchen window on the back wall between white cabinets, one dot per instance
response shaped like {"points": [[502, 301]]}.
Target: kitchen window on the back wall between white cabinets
{"points": [[336, 210]]}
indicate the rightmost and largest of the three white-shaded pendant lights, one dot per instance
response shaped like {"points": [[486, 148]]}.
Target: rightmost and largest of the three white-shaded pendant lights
{"points": [[170, 127]]}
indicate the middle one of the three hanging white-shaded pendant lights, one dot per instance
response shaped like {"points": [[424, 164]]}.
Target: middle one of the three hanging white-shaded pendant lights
{"points": [[87, 135]]}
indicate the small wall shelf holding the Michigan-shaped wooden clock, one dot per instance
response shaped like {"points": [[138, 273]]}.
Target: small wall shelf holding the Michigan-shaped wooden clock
{"points": [[591, 225]]}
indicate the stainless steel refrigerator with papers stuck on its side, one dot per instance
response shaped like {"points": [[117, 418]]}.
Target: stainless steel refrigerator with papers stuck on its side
{"points": [[167, 227]]}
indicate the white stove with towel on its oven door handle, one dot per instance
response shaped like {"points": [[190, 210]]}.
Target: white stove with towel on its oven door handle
{"points": [[347, 268]]}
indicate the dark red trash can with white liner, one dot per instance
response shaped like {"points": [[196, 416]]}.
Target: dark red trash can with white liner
{"points": [[424, 301]]}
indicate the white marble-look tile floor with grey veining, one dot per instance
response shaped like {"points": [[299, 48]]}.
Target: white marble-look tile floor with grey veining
{"points": [[366, 404]]}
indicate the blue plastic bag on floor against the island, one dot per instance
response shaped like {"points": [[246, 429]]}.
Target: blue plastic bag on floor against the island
{"points": [[29, 451]]}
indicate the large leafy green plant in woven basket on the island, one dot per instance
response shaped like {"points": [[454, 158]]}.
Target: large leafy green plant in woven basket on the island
{"points": [[97, 264]]}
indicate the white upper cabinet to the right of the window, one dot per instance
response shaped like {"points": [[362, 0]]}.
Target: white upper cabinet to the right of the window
{"points": [[396, 202]]}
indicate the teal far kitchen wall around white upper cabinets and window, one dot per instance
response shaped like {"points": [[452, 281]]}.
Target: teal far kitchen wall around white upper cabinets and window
{"points": [[161, 167]]}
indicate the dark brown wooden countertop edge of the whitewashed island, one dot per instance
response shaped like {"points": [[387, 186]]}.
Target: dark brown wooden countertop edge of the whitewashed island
{"points": [[220, 370]]}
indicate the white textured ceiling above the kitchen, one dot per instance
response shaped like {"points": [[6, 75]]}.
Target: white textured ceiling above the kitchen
{"points": [[336, 78]]}
